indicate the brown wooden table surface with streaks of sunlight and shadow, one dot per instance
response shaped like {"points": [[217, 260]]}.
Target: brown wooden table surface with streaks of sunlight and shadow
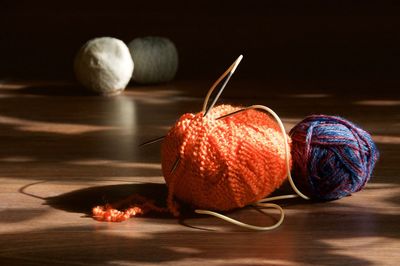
{"points": [[62, 151]]}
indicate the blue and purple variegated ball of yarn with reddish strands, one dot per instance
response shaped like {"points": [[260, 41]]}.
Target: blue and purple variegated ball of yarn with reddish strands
{"points": [[332, 157]]}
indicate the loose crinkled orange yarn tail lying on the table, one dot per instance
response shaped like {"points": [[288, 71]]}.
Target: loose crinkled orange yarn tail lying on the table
{"points": [[140, 206]]}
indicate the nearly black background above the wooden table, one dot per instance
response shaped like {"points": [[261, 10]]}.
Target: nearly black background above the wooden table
{"points": [[281, 40]]}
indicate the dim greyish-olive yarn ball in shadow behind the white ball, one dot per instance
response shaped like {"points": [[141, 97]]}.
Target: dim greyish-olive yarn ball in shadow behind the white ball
{"points": [[155, 58]]}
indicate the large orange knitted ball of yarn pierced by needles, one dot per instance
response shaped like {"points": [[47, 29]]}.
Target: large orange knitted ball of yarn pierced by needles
{"points": [[224, 163]]}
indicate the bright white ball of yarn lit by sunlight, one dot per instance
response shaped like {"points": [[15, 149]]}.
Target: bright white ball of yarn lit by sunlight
{"points": [[104, 65]]}
